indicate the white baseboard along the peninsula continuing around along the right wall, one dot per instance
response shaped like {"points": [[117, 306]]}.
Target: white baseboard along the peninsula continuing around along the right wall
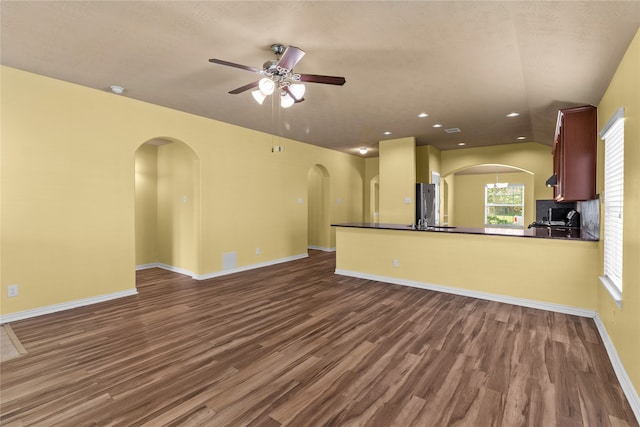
{"points": [[625, 382]]}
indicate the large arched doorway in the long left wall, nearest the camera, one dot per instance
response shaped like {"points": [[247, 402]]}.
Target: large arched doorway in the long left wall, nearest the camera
{"points": [[167, 206]]}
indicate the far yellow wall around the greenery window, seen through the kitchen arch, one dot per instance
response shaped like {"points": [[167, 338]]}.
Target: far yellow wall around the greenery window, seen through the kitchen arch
{"points": [[469, 197]]}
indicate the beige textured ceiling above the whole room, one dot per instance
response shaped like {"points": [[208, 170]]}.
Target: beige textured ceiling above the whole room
{"points": [[466, 64]]}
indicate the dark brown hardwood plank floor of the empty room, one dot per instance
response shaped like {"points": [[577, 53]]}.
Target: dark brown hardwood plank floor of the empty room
{"points": [[294, 344]]}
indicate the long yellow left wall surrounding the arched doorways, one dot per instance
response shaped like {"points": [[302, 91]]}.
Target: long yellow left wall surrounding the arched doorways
{"points": [[68, 190]]}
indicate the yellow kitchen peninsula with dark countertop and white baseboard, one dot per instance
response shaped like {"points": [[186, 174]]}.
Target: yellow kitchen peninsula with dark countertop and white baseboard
{"points": [[514, 266]]}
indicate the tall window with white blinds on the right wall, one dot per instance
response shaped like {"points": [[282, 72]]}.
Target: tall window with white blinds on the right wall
{"points": [[613, 136]]}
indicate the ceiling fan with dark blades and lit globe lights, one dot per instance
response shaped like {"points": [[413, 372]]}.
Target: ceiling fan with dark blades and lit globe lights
{"points": [[278, 74]]}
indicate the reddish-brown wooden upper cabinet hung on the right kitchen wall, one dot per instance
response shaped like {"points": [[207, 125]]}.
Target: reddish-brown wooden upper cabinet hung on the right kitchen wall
{"points": [[575, 154]]}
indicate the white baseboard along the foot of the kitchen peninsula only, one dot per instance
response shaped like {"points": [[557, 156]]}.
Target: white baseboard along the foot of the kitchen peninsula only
{"points": [[559, 308]]}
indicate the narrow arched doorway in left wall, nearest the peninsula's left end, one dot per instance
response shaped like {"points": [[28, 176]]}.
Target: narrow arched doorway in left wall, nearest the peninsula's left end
{"points": [[319, 212]]}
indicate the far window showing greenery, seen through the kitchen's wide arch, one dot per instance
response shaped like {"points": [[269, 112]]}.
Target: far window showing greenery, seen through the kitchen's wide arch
{"points": [[504, 205]]}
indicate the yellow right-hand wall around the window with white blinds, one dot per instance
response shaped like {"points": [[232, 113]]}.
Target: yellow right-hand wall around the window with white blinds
{"points": [[623, 325]]}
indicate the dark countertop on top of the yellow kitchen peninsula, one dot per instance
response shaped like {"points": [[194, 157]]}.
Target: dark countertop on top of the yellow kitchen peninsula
{"points": [[544, 232]]}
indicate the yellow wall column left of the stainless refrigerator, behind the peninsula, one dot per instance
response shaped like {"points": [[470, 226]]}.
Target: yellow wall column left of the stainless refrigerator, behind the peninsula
{"points": [[397, 180]]}
